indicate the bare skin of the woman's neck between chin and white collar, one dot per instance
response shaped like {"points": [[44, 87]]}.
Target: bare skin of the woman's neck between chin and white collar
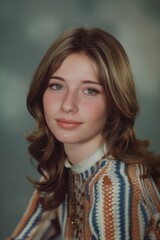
{"points": [[79, 151]]}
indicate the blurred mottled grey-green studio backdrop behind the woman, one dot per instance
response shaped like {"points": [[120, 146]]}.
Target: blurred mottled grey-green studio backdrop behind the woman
{"points": [[27, 30]]}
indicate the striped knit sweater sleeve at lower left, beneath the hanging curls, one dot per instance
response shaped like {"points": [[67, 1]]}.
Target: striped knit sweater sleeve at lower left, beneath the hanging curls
{"points": [[36, 224]]}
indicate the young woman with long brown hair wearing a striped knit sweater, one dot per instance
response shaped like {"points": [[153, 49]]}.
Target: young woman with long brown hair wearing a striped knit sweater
{"points": [[98, 180]]}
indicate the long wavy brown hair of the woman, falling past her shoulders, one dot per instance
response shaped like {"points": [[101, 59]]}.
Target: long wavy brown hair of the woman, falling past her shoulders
{"points": [[117, 80]]}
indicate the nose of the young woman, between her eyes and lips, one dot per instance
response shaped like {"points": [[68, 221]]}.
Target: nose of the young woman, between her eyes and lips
{"points": [[70, 102]]}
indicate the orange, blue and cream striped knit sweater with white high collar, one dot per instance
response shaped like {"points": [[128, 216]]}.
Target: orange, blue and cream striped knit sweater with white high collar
{"points": [[113, 201]]}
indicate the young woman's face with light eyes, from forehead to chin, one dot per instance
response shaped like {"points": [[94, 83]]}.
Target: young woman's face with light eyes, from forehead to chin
{"points": [[75, 102]]}
